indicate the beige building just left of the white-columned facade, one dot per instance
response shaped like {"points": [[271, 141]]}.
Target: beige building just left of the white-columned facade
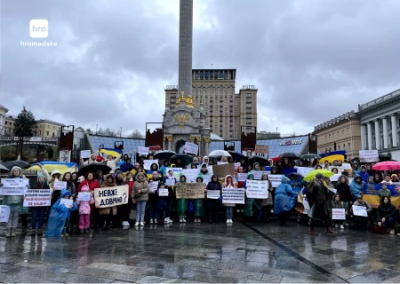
{"points": [[341, 133]]}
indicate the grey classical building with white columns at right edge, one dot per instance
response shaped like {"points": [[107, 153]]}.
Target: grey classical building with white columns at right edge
{"points": [[380, 121]]}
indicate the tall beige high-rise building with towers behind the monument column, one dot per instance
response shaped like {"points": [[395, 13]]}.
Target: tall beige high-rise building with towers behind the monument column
{"points": [[226, 112]]}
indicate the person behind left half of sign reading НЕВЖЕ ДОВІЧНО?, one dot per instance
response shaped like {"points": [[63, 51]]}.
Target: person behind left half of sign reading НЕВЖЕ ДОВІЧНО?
{"points": [[106, 215]]}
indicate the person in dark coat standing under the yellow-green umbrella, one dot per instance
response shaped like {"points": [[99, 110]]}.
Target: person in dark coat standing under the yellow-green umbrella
{"points": [[320, 197]]}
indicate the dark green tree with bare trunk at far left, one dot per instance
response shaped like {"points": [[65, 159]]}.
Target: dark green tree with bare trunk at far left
{"points": [[23, 127]]}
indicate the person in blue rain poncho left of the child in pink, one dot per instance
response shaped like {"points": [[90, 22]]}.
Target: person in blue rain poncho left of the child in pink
{"points": [[59, 216]]}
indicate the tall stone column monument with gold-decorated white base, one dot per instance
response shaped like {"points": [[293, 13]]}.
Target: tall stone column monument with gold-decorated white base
{"points": [[184, 123]]}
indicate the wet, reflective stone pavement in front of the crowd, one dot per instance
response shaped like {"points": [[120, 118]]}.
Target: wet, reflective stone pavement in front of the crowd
{"points": [[238, 253]]}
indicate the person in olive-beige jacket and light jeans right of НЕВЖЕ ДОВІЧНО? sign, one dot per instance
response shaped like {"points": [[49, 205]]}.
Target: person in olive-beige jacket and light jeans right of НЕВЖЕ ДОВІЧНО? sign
{"points": [[141, 190]]}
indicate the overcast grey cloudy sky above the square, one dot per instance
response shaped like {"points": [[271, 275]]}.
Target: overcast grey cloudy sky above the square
{"points": [[310, 60]]}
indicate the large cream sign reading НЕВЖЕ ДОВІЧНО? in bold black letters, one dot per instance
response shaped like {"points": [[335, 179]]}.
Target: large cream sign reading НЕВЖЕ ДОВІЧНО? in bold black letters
{"points": [[111, 196]]}
